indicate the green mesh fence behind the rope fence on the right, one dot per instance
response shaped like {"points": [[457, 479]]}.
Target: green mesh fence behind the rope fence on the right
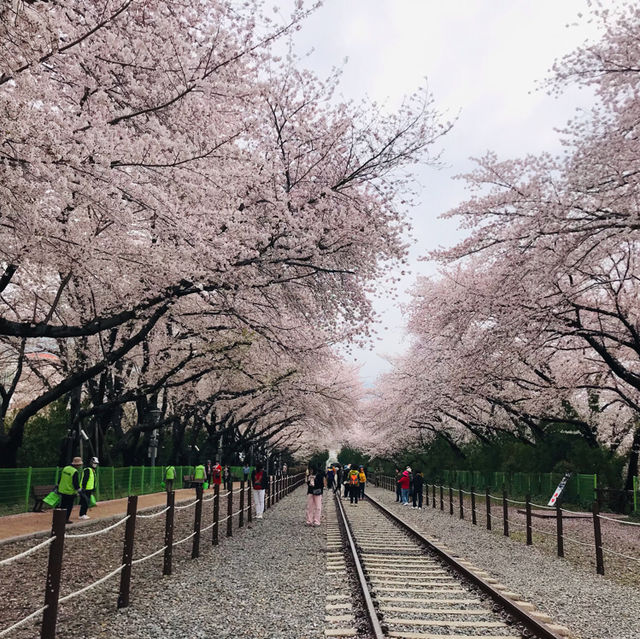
{"points": [[581, 489]]}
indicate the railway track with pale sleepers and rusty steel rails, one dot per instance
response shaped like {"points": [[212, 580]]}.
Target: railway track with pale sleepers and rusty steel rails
{"points": [[412, 589]]}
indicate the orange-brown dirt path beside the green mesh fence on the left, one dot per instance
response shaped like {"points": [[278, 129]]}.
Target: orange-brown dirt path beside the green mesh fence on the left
{"points": [[26, 523]]}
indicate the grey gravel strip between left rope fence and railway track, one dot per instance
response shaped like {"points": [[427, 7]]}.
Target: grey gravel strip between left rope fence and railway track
{"points": [[266, 582]]}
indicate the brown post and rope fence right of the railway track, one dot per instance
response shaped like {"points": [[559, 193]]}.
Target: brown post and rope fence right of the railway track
{"points": [[441, 495]]}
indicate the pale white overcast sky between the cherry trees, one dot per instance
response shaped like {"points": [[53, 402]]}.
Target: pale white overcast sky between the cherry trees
{"points": [[483, 59]]}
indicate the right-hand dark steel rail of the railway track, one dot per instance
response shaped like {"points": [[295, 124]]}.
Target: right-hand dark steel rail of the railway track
{"points": [[532, 624]]}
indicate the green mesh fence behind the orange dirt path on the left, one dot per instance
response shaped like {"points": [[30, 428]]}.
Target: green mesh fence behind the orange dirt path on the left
{"points": [[111, 483]]}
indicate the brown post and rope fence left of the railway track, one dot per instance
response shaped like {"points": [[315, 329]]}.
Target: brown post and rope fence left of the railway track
{"points": [[280, 487]]}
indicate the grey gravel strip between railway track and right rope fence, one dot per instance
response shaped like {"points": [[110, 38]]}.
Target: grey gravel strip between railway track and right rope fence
{"points": [[593, 607]]}
